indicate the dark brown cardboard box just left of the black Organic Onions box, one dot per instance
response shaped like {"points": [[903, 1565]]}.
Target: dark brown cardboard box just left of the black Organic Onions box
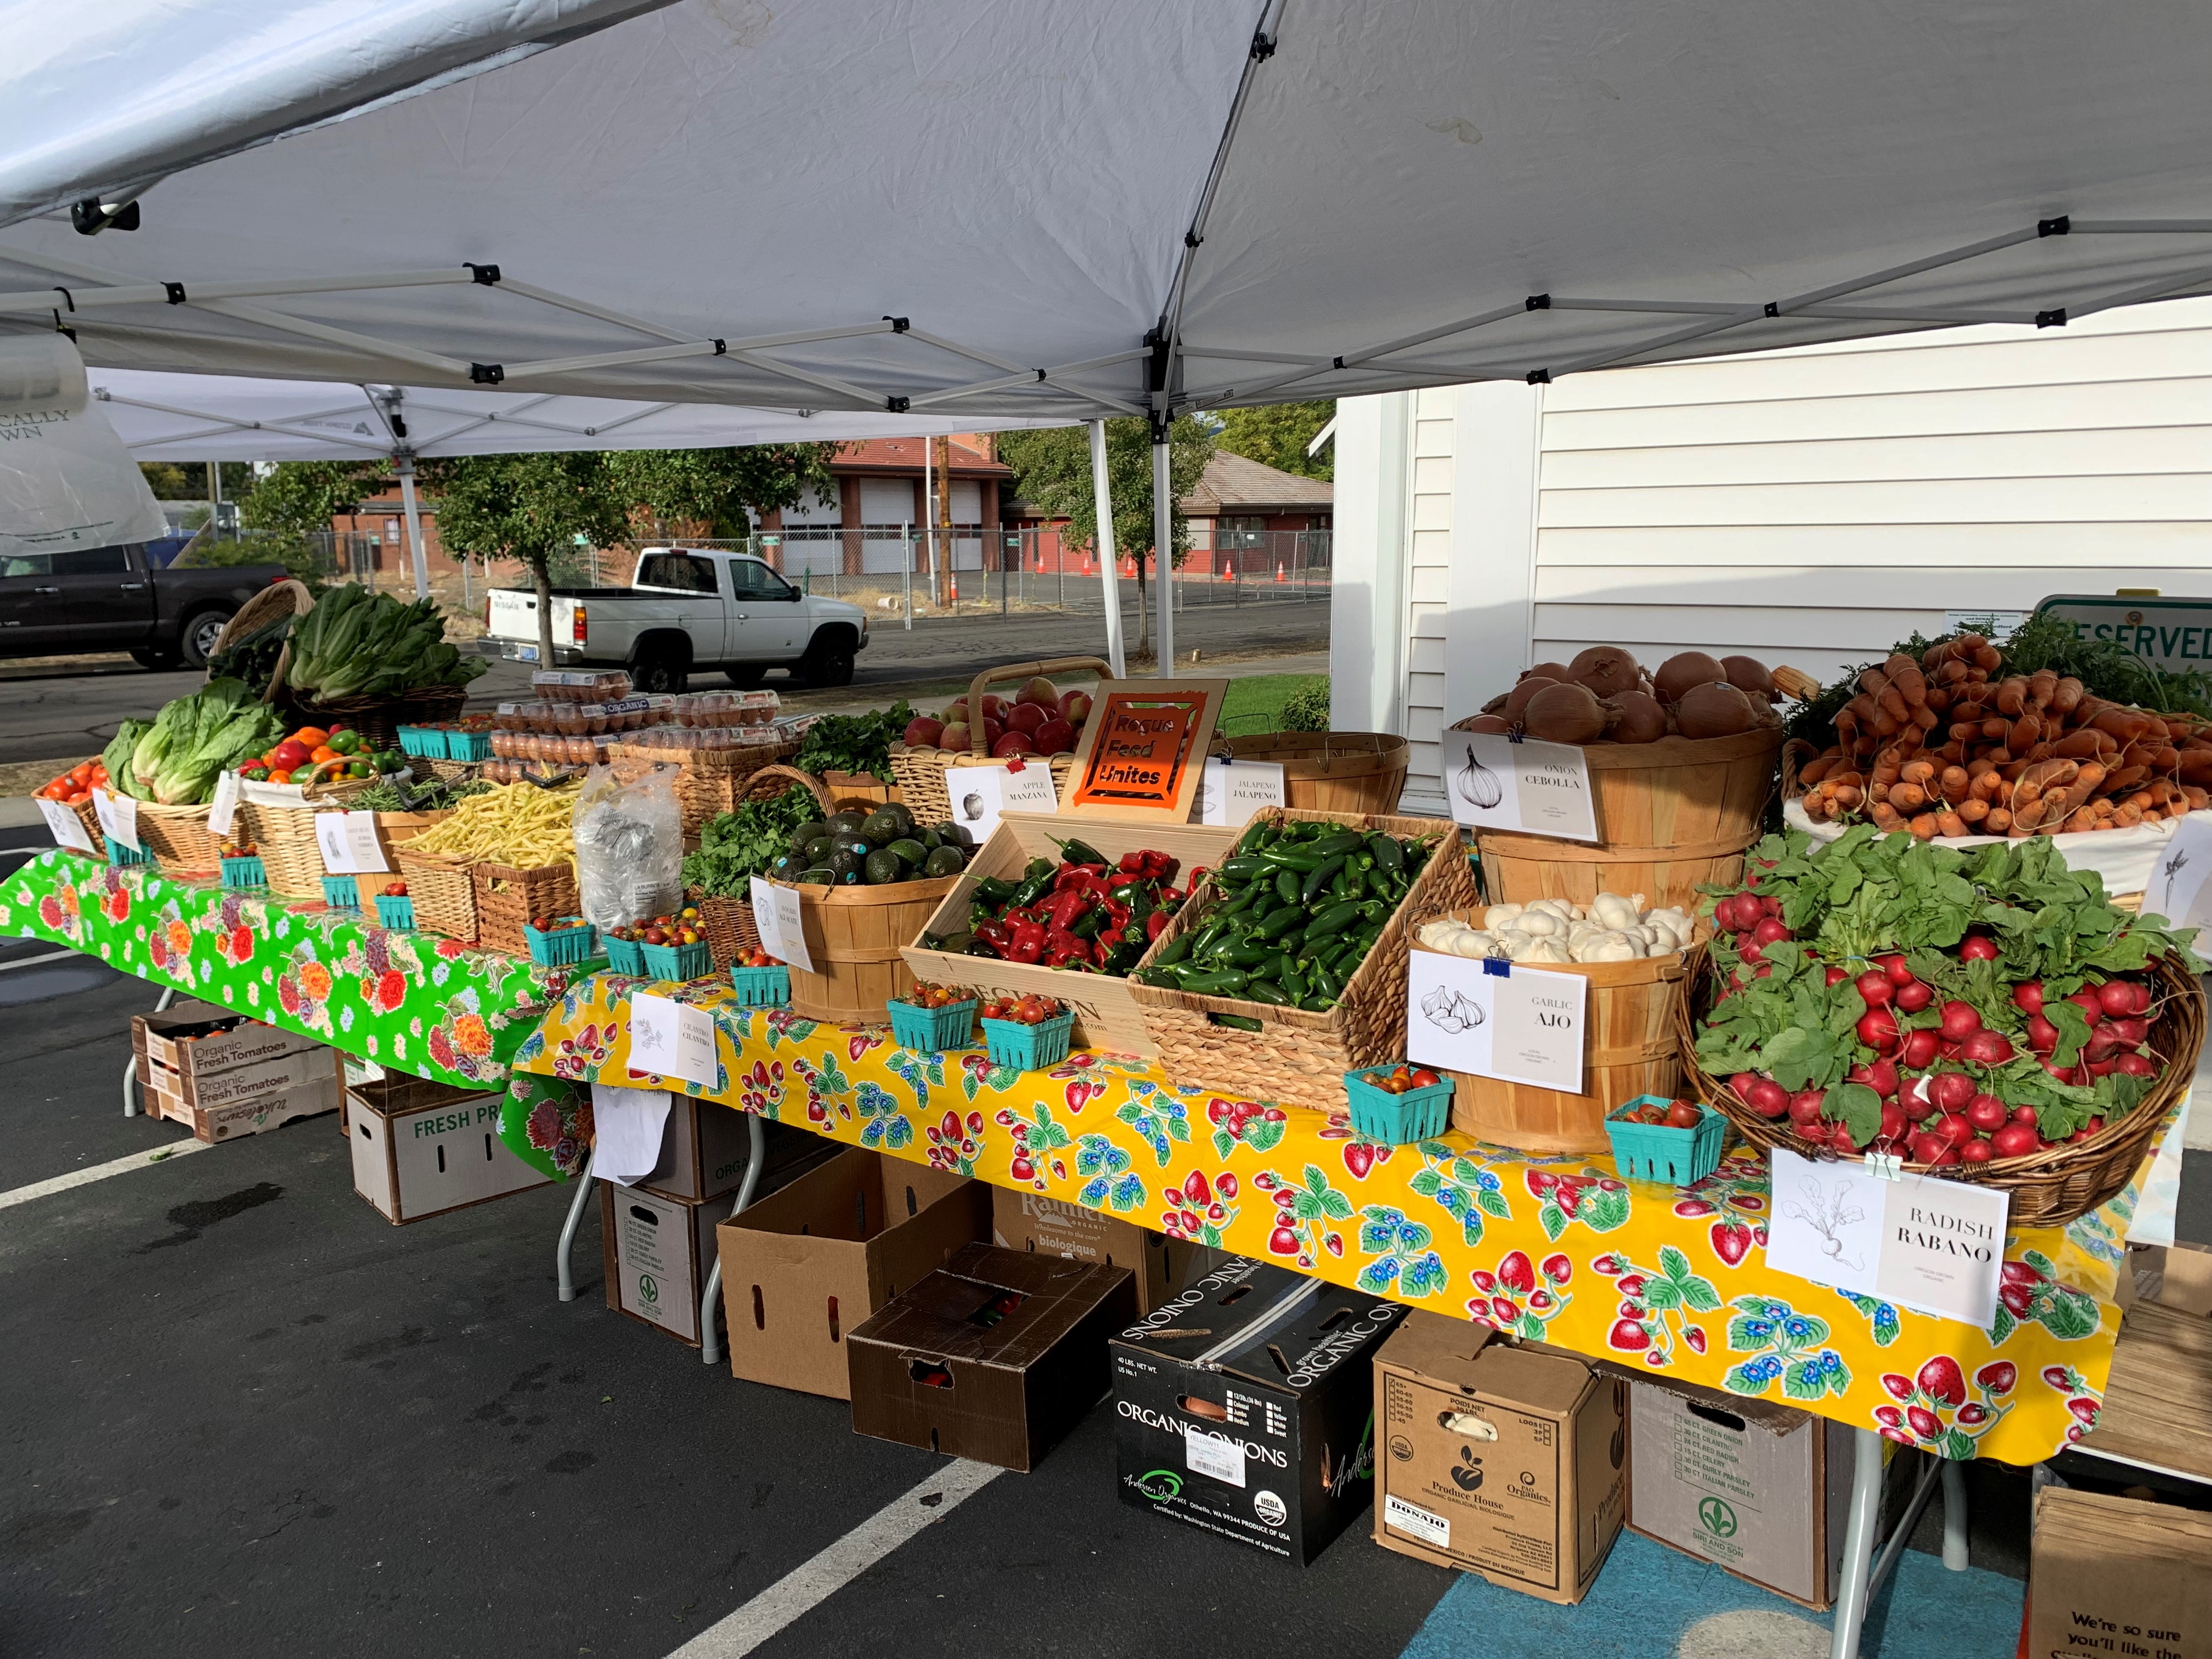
{"points": [[994, 1357]]}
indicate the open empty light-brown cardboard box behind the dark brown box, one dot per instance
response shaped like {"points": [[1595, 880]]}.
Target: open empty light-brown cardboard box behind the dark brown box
{"points": [[808, 1264]]}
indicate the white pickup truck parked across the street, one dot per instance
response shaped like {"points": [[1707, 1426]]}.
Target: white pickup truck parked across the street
{"points": [[689, 612]]}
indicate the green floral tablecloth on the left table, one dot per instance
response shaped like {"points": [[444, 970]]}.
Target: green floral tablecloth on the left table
{"points": [[408, 1001]]}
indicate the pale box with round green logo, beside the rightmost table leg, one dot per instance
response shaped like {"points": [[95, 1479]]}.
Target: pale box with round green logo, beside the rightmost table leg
{"points": [[1755, 1488]]}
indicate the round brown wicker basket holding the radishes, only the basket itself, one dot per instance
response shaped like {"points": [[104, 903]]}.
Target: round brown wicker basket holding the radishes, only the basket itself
{"points": [[2049, 1187]]}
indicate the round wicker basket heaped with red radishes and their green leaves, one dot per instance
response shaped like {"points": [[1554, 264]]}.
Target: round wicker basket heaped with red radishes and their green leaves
{"points": [[1987, 1014]]}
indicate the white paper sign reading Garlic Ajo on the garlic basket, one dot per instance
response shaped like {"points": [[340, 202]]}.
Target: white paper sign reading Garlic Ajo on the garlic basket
{"points": [[1525, 1027]]}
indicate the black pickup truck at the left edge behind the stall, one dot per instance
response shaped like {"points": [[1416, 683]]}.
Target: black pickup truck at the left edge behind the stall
{"points": [[109, 598]]}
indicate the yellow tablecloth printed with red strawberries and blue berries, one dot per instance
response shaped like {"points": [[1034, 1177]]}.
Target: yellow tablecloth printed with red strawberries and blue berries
{"points": [[1550, 1249]]}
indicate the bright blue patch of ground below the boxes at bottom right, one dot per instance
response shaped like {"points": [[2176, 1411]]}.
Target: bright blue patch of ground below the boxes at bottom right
{"points": [[1653, 1603]]}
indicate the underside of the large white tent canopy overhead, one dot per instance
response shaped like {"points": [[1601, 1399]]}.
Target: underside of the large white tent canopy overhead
{"points": [[988, 211]]}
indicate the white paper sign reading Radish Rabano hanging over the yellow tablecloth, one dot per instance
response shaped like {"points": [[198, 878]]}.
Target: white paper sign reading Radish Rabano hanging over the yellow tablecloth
{"points": [[1917, 1242]]}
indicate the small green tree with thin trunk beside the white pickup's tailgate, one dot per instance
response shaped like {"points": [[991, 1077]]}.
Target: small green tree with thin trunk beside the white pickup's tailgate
{"points": [[530, 510]]}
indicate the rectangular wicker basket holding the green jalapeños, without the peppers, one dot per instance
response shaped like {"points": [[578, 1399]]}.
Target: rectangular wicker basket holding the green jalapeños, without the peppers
{"points": [[1302, 1058]]}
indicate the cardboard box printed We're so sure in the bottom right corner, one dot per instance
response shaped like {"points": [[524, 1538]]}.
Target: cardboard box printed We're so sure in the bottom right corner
{"points": [[2118, 1576]]}
